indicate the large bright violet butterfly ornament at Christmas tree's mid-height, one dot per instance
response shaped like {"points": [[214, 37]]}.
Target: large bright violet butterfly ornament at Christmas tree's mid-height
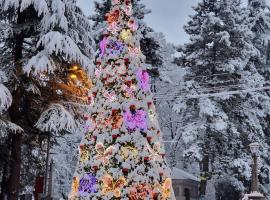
{"points": [[135, 120]]}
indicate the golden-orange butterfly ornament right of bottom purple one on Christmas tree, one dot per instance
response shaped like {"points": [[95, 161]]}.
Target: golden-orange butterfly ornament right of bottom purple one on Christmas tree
{"points": [[109, 185]]}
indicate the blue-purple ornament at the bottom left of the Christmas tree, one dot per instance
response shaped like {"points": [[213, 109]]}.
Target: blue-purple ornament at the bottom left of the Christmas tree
{"points": [[88, 185]]}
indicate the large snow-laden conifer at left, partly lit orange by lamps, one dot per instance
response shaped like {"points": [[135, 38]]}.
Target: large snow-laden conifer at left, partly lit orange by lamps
{"points": [[46, 55]]}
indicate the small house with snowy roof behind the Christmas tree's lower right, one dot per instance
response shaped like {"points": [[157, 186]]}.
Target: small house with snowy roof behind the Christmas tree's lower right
{"points": [[185, 185]]}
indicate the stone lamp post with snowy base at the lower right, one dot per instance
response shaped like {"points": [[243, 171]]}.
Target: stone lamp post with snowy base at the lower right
{"points": [[254, 193]]}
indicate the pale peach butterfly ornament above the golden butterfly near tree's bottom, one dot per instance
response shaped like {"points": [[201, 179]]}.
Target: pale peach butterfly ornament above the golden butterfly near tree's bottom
{"points": [[104, 154]]}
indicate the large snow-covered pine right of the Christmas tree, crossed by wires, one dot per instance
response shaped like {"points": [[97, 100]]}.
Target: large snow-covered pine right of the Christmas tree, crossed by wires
{"points": [[219, 128]]}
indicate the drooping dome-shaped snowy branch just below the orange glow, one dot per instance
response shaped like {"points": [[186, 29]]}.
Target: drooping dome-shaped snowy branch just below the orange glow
{"points": [[56, 119]]}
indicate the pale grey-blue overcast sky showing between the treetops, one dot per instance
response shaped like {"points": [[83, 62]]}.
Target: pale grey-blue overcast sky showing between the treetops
{"points": [[168, 16]]}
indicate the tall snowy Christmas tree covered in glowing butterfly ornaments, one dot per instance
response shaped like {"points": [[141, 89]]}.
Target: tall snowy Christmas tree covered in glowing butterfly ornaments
{"points": [[121, 155]]}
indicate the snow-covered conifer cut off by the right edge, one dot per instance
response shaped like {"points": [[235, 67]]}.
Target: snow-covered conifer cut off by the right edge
{"points": [[258, 19]]}
